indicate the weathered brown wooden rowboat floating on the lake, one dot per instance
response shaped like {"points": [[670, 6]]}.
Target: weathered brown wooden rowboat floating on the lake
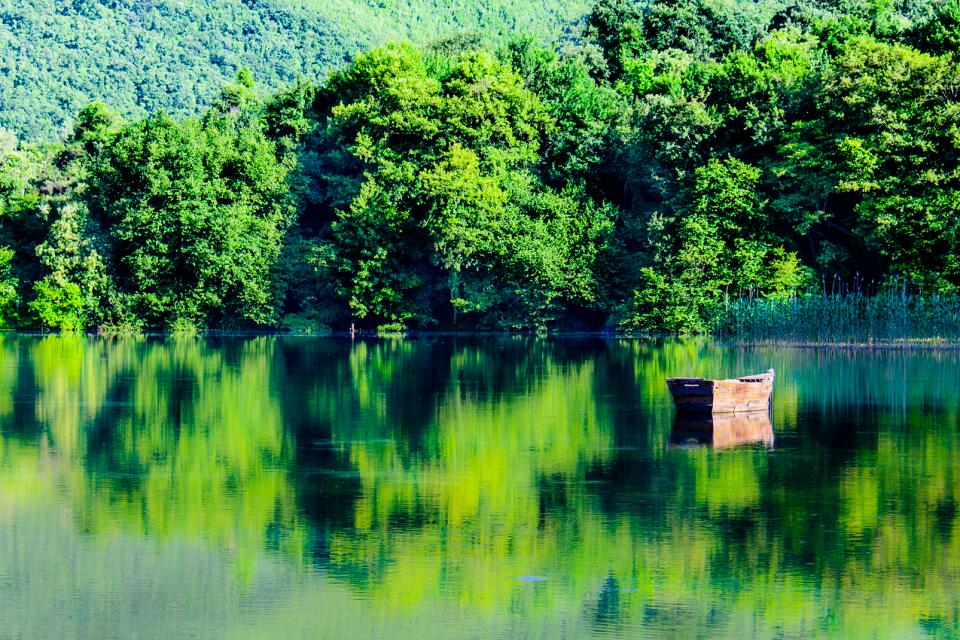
{"points": [[697, 395]]}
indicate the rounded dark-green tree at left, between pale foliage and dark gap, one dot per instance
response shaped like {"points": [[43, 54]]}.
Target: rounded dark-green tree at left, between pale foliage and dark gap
{"points": [[196, 213]]}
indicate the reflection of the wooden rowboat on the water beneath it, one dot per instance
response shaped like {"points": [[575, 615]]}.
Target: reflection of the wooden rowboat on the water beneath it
{"points": [[723, 430]]}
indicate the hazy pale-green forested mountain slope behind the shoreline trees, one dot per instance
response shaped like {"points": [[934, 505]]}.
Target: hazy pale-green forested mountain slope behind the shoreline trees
{"points": [[138, 55]]}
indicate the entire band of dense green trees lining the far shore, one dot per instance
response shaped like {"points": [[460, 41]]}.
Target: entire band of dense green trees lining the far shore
{"points": [[646, 173]]}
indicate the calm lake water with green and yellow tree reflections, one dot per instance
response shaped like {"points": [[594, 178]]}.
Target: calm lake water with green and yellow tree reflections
{"points": [[452, 488]]}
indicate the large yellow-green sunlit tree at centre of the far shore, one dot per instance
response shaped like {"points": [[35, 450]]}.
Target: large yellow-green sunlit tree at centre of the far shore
{"points": [[440, 207]]}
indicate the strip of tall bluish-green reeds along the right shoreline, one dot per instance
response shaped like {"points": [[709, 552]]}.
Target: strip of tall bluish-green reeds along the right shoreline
{"points": [[894, 312]]}
